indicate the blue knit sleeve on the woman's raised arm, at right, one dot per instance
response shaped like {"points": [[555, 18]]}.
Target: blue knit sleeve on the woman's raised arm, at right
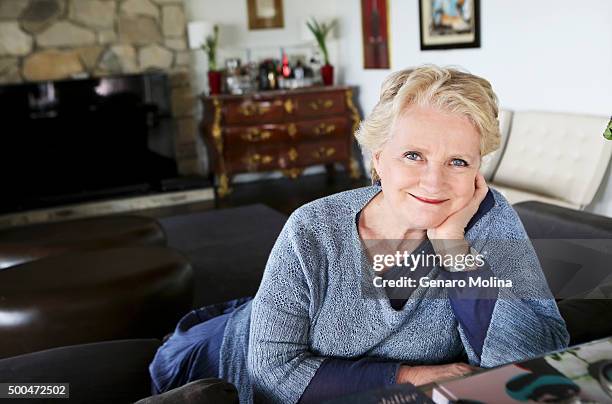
{"points": [[525, 320]]}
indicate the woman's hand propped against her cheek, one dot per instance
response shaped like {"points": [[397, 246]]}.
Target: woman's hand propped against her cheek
{"points": [[454, 226]]}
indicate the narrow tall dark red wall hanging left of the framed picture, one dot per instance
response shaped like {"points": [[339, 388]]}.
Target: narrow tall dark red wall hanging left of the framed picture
{"points": [[375, 31]]}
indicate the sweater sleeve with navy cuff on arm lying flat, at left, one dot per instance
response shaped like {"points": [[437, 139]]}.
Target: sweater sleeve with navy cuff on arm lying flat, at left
{"points": [[280, 365]]}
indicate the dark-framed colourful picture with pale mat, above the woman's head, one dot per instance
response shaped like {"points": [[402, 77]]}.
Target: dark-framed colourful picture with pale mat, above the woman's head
{"points": [[449, 24]]}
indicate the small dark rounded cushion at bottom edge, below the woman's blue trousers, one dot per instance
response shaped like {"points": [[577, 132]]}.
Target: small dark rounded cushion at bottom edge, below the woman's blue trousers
{"points": [[204, 391]]}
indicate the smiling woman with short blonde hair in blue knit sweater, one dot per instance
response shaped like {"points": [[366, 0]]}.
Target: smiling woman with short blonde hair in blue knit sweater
{"points": [[321, 325]]}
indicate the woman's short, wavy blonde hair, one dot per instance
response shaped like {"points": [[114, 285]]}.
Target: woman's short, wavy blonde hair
{"points": [[448, 89]]}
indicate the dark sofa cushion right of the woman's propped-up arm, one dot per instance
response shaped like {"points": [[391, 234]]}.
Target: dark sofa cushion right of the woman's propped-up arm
{"points": [[574, 249]]}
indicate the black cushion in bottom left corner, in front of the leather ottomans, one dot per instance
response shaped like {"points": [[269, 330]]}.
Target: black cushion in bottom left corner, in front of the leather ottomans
{"points": [[104, 372]]}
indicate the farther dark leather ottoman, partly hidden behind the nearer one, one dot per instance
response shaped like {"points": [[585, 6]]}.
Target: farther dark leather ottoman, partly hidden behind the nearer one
{"points": [[33, 242]]}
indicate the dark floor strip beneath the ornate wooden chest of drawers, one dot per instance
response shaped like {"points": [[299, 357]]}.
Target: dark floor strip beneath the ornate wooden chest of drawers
{"points": [[284, 195]]}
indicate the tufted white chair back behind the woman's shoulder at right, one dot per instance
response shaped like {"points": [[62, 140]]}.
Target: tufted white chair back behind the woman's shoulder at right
{"points": [[556, 155]]}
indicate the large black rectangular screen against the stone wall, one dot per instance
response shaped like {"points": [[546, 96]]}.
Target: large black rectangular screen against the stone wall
{"points": [[75, 140]]}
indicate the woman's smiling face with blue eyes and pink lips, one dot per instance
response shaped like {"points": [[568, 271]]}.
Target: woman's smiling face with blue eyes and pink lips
{"points": [[428, 166]]}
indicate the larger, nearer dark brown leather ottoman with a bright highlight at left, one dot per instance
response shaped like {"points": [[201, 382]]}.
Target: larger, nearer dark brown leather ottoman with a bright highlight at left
{"points": [[87, 296]]}
